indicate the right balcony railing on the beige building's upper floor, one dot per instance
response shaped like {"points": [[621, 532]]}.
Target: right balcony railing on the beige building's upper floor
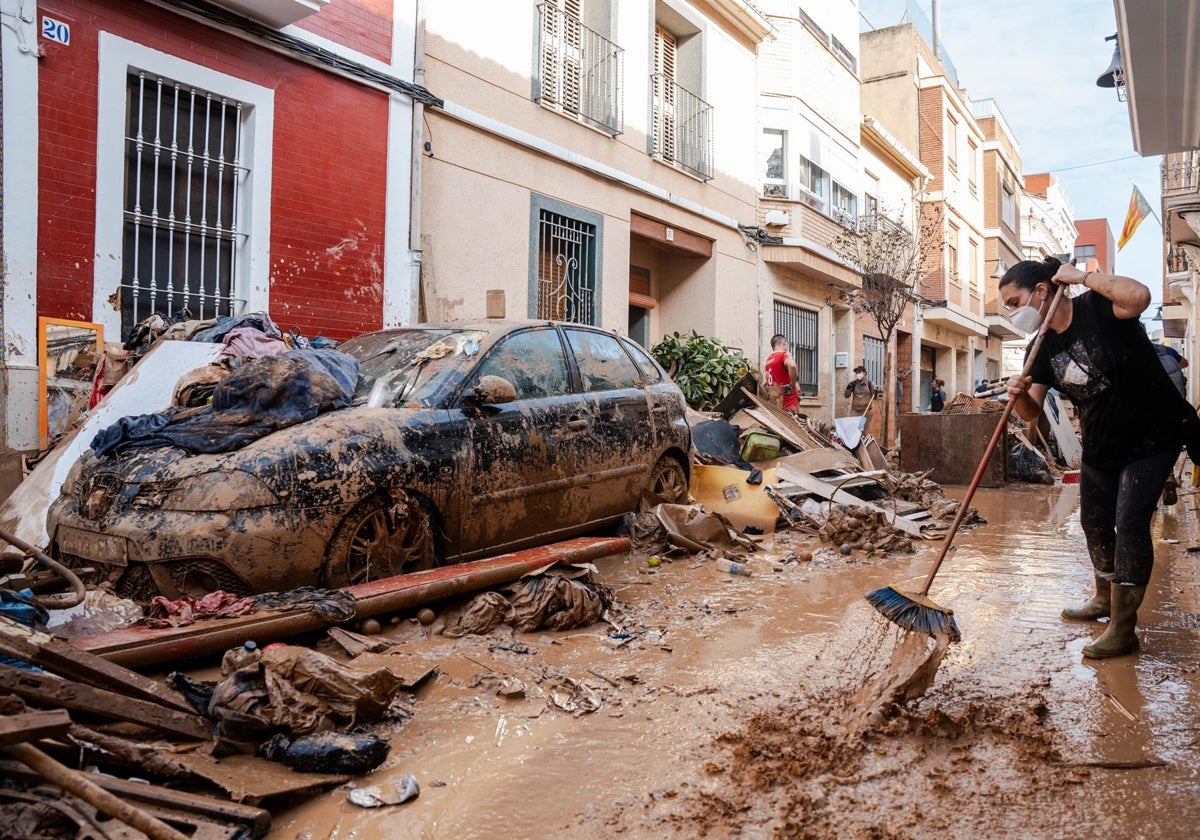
{"points": [[683, 128]]}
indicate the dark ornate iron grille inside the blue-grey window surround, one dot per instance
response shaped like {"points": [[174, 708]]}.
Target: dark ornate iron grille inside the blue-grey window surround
{"points": [[567, 267]]}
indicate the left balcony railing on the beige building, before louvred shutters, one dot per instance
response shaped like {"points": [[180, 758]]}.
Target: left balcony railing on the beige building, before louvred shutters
{"points": [[579, 71]]}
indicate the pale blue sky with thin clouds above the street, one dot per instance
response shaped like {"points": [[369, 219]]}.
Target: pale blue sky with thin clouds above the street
{"points": [[1040, 61]]}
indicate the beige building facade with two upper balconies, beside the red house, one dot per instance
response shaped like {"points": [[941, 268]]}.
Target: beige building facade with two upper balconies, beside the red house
{"points": [[592, 165]]}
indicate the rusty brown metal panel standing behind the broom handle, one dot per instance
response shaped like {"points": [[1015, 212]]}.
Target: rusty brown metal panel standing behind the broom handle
{"points": [[952, 446]]}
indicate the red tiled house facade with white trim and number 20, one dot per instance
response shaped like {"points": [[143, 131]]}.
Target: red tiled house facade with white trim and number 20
{"points": [[183, 157]]}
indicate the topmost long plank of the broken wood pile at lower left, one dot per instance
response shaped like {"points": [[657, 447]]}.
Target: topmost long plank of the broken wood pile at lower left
{"points": [[67, 661]]}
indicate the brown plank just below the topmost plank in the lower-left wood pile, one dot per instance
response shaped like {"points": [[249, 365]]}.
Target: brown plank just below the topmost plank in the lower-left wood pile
{"points": [[41, 688]]}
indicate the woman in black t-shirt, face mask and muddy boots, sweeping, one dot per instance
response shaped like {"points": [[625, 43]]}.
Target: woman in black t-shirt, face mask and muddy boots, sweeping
{"points": [[1097, 353]]}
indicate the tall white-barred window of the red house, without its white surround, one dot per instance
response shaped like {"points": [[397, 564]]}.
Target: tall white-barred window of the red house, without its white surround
{"points": [[182, 223]]}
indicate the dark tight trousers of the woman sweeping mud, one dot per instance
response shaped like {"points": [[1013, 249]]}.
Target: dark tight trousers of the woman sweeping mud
{"points": [[1115, 507]]}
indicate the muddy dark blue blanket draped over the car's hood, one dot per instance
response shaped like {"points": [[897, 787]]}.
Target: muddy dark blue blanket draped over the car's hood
{"points": [[262, 397]]}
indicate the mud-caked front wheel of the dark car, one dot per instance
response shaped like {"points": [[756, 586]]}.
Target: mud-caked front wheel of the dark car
{"points": [[380, 538]]}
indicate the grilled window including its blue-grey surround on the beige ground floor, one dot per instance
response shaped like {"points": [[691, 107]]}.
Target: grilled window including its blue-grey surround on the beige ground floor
{"points": [[566, 262]]}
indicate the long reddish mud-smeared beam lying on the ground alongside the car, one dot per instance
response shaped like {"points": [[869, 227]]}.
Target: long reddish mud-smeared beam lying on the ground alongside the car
{"points": [[134, 647]]}
